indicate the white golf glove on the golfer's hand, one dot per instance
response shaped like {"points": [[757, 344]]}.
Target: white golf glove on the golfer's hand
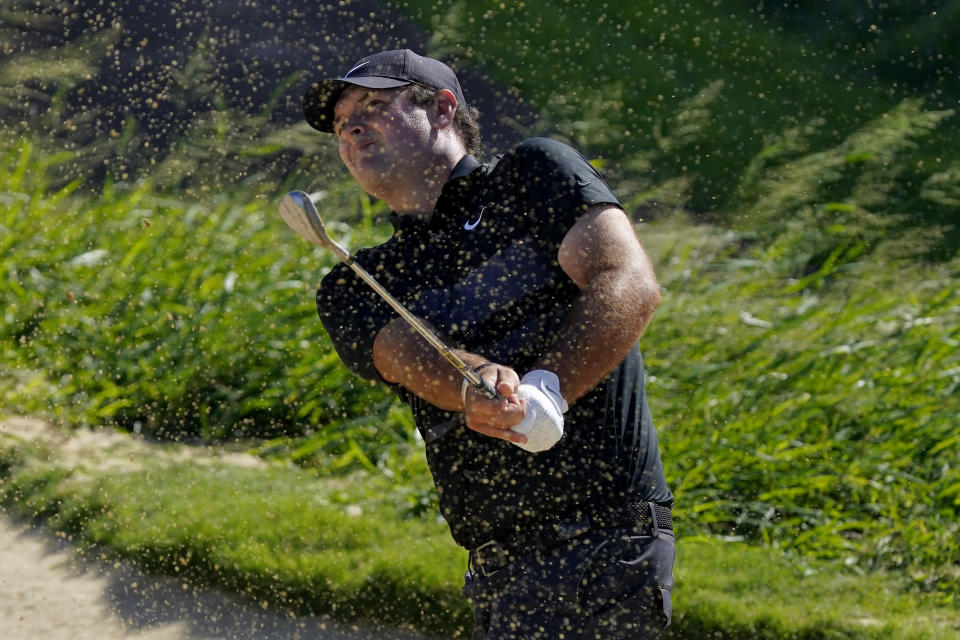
{"points": [[543, 421]]}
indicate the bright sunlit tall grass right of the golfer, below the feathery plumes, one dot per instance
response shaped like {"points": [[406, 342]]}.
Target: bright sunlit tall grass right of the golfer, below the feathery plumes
{"points": [[823, 421]]}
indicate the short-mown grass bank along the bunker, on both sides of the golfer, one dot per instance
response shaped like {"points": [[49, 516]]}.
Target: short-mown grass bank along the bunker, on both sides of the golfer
{"points": [[348, 546]]}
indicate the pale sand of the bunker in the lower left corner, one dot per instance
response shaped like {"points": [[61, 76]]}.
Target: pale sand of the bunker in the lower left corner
{"points": [[48, 590]]}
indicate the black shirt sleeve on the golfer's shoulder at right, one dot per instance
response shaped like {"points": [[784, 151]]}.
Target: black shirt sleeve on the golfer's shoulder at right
{"points": [[557, 185]]}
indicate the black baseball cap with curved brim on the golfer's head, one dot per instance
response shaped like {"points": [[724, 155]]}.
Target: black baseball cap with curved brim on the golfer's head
{"points": [[383, 70]]}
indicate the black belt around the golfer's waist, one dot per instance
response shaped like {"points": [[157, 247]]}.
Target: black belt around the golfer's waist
{"points": [[642, 517]]}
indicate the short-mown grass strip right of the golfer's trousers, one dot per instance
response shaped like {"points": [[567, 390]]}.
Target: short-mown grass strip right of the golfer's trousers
{"points": [[732, 590]]}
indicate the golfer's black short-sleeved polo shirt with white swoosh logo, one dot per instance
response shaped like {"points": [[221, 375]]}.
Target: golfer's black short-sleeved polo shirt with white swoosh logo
{"points": [[484, 271]]}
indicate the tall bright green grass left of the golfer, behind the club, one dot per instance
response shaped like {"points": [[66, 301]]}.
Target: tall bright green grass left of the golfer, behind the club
{"points": [[188, 317]]}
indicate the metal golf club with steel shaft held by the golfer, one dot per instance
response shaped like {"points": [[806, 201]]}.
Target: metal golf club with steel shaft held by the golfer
{"points": [[300, 214]]}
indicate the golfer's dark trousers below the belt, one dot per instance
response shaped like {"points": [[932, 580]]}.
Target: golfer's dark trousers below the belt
{"points": [[604, 585]]}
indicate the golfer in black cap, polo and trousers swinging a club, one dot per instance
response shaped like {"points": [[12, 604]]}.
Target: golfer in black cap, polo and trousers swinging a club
{"points": [[533, 272]]}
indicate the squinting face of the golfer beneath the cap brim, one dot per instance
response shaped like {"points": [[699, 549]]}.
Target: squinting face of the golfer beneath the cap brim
{"points": [[384, 138]]}
